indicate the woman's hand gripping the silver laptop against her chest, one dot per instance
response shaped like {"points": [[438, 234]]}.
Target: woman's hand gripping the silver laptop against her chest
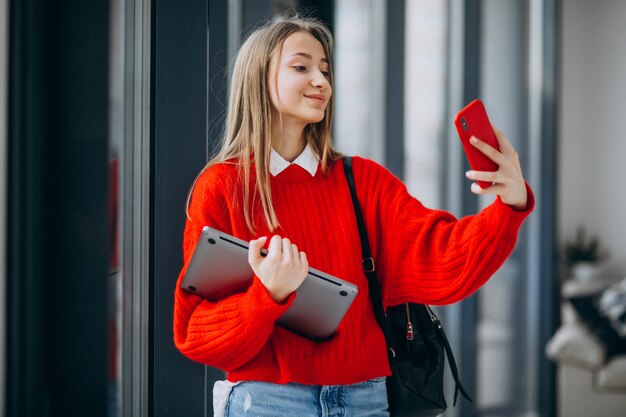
{"points": [[284, 268]]}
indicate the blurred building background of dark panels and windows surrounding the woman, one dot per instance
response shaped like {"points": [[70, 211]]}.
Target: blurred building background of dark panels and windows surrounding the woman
{"points": [[109, 108]]}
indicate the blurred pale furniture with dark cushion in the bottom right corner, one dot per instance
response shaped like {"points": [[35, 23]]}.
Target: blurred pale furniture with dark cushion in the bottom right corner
{"points": [[591, 363]]}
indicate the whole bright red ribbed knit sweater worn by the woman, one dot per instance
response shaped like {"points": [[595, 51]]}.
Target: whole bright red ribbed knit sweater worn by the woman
{"points": [[422, 255]]}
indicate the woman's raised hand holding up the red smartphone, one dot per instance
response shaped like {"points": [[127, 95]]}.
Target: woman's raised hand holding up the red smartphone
{"points": [[508, 181]]}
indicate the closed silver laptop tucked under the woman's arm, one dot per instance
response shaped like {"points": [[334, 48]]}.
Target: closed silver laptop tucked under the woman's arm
{"points": [[219, 268]]}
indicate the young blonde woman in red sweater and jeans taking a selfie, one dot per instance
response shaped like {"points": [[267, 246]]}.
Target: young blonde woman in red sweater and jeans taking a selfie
{"points": [[278, 182]]}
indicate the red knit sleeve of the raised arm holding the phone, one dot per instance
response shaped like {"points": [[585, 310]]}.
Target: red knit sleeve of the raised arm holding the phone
{"points": [[429, 256]]}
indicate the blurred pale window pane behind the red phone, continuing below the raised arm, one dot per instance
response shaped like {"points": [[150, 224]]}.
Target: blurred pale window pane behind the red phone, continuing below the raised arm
{"points": [[503, 349]]}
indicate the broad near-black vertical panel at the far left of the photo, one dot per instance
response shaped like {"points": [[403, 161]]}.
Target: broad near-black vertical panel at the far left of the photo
{"points": [[58, 257]]}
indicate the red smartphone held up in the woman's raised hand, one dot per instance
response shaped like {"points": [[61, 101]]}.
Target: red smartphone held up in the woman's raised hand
{"points": [[472, 120]]}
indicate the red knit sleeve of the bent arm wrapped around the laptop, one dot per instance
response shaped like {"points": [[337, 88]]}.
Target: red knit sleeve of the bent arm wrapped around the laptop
{"points": [[228, 333]]}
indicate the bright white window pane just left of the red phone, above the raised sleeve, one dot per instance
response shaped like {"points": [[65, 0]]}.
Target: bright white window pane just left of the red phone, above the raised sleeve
{"points": [[425, 98]]}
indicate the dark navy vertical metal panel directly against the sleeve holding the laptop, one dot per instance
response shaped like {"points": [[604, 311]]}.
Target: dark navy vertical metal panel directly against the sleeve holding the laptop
{"points": [[180, 109]]}
